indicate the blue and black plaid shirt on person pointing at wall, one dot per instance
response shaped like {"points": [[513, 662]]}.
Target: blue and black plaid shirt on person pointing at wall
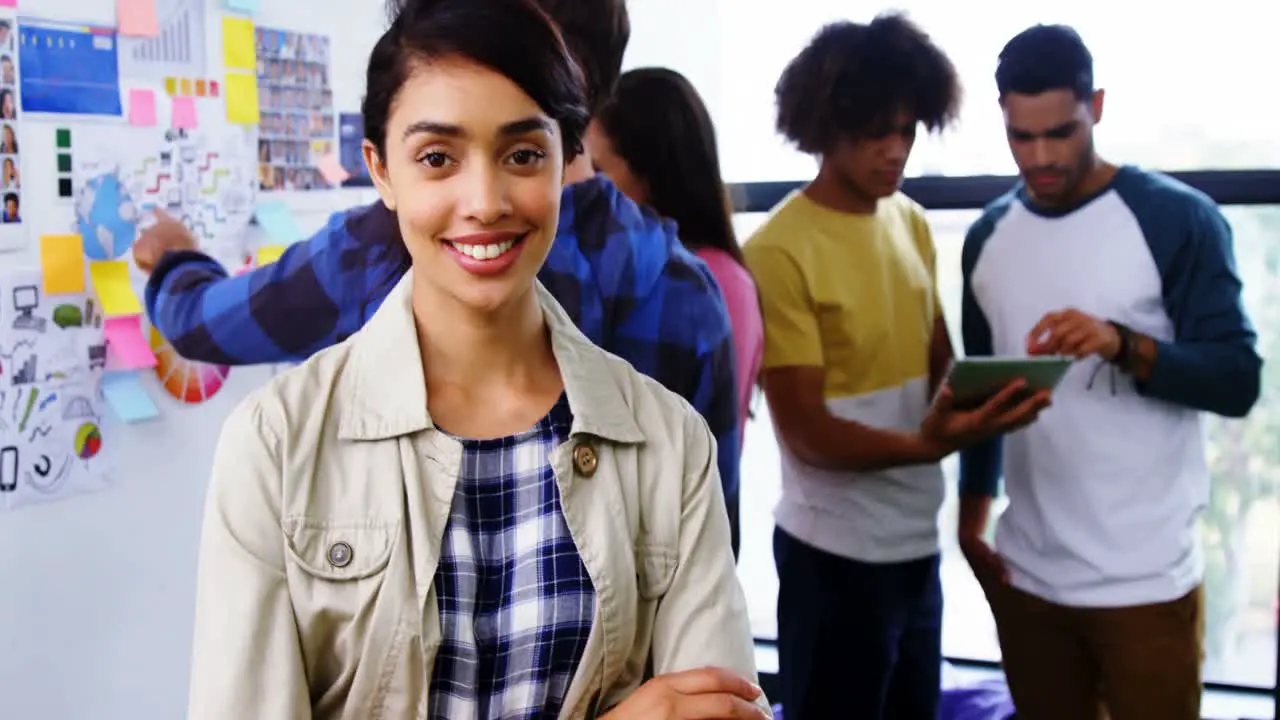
{"points": [[620, 272]]}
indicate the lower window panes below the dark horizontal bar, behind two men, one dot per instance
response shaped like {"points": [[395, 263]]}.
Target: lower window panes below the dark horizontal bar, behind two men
{"points": [[1238, 527]]}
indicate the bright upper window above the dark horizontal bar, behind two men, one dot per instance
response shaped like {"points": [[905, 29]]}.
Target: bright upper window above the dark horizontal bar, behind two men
{"points": [[1182, 97]]}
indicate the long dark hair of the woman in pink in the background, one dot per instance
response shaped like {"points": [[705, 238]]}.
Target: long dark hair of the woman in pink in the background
{"points": [[659, 124]]}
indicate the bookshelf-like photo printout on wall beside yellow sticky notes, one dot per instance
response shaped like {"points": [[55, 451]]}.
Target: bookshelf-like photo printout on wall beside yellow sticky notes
{"points": [[296, 130]]}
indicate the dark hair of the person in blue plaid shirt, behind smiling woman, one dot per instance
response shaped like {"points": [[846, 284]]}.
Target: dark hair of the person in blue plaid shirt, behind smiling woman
{"points": [[596, 31]]}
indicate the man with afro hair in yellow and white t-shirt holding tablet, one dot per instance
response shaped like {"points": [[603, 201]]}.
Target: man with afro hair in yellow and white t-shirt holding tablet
{"points": [[856, 349]]}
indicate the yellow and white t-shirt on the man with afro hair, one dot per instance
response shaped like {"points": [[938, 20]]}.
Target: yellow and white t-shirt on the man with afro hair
{"points": [[854, 294]]}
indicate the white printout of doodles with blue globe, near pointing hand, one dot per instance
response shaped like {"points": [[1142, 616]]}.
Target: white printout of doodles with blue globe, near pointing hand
{"points": [[203, 177]]}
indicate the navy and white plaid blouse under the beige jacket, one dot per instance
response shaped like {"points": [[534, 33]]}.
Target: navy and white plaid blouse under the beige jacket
{"points": [[515, 599]]}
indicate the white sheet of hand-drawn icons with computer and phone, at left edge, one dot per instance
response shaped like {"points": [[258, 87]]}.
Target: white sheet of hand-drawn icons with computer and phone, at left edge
{"points": [[52, 353]]}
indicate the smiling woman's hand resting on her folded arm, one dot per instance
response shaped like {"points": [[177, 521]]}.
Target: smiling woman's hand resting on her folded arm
{"points": [[707, 694]]}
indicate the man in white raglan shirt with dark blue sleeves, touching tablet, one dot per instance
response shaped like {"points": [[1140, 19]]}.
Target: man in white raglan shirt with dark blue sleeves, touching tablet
{"points": [[1096, 578]]}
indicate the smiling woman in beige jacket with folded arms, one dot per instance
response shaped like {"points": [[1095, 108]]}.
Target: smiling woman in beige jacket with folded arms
{"points": [[473, 512]]}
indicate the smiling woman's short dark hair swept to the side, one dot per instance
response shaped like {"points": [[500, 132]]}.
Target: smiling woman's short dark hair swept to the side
{"points": [[514, 38]]}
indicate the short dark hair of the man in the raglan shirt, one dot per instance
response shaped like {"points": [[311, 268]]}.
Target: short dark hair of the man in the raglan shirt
{"points": [[1045, 58]]}
